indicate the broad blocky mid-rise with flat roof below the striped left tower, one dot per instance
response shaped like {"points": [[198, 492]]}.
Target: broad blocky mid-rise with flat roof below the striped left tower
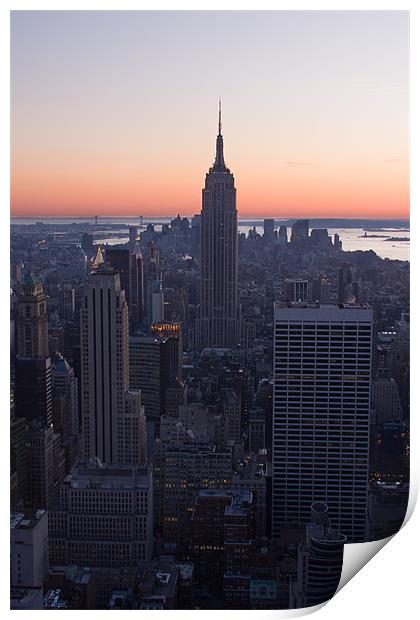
{"points": [[104, 520]]}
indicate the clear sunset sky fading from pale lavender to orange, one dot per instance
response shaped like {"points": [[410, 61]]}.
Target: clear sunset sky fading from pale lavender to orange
{"points": [[115, 112]]}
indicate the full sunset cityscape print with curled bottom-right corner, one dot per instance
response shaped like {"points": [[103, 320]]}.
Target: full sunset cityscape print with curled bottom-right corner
{"points": [[205, 410]]}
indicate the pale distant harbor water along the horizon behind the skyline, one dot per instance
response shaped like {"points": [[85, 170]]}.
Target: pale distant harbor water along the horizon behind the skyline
{"points": [[352, 238]]}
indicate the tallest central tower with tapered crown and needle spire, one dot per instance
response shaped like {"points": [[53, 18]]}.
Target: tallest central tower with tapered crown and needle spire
{"points": [[219, 324]]}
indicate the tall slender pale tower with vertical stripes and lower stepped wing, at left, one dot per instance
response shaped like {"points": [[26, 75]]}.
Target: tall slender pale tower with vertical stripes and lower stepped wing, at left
{"points": [[106, 409]]}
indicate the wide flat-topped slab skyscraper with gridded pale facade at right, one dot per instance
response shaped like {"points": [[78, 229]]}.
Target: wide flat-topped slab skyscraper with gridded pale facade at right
{"points": [[322, 383]]}
